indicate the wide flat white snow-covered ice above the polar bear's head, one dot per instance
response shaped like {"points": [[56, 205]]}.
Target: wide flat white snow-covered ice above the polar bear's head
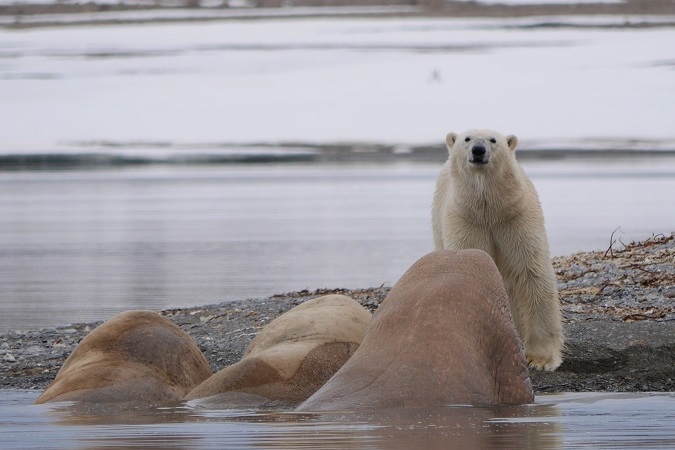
{"points": [[391, 80]]}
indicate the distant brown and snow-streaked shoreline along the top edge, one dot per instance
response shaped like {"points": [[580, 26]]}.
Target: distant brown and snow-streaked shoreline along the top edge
{"points": [[21, 14]]}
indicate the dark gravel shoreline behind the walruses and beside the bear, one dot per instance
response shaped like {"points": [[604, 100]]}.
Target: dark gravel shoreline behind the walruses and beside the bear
{"points": [[618, 305]]}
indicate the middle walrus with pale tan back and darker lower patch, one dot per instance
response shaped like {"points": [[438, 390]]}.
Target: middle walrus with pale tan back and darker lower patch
{"points": [[291, 357]]}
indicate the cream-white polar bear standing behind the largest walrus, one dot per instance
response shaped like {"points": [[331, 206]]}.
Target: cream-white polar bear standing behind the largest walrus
{"points": [[484, 200]]}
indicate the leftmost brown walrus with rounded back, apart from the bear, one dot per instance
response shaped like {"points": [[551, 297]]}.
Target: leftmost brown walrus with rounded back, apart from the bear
{"points": [[137, 356]]}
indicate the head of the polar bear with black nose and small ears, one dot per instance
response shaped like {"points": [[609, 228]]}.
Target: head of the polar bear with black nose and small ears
{"points": [[479, 148]]}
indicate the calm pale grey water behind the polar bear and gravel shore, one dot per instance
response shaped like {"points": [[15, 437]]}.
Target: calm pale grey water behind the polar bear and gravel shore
{"points": [[83, 245]]}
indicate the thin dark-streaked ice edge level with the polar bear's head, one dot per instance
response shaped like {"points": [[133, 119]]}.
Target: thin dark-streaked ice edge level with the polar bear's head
{"points": [[140, 154]]}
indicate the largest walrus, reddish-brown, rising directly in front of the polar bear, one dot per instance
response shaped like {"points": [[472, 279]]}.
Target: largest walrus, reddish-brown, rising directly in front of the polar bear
{"points": [[444, 335]]}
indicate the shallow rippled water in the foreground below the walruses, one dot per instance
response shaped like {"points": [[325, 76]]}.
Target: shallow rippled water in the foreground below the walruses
{"points": [[588, 420]]}
